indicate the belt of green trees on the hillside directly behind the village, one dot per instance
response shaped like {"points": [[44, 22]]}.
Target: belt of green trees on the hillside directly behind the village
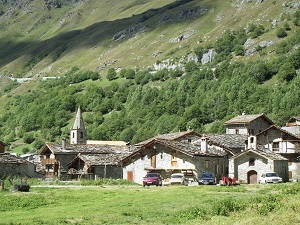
{"points": [[134, 105]]}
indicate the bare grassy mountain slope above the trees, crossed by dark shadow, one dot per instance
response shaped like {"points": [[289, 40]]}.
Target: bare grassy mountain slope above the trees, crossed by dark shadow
{"points": [[36, 39]]}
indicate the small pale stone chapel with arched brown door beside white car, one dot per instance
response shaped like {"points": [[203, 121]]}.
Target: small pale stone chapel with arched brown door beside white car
{"points": [[249, 165]]}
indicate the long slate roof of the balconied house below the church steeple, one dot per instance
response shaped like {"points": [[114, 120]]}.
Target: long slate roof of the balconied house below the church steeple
{"points": [[86, 149]]}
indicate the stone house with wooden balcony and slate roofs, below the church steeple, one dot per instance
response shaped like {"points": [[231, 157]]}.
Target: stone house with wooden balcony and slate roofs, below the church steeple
{"points": [[68, 161]]}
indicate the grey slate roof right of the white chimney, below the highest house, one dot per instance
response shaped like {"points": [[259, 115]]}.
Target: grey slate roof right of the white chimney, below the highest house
{"points": [[228, 141]]}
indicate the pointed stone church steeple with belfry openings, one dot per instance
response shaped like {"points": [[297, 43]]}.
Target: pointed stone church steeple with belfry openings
{"points": [[78, 132]]}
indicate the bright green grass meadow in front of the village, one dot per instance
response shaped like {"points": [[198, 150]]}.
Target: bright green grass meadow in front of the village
{"points": [[84, 203]]}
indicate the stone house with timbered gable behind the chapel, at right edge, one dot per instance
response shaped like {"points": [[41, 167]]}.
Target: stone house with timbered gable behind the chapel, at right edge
{"points": [[282, 142]]}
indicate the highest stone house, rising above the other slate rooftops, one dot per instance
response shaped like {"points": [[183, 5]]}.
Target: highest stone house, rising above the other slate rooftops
{"points": [[248, 124]]}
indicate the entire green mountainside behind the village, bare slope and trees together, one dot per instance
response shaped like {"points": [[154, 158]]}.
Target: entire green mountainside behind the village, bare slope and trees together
{"points": [[137, 68]]}
